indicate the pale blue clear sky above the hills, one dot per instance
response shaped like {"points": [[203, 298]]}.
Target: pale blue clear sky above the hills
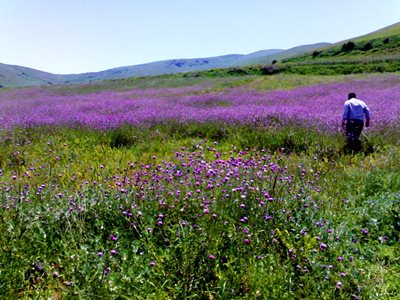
{"points": [[75, 36]]}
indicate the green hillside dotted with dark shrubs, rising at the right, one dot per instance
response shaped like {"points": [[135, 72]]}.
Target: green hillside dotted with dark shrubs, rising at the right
{"points": [[378, 52]]}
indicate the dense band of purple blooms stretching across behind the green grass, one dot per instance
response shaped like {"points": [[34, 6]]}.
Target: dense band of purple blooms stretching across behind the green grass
{"points": [[316, 106]]}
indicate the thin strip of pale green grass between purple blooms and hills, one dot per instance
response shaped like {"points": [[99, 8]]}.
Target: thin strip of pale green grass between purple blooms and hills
{"points": [[289, 79]]}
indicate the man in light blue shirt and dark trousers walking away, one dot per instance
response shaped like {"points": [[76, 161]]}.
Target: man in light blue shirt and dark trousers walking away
{"points": [[354, 113]]}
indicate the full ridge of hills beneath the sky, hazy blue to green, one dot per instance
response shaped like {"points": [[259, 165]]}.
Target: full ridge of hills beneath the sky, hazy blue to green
{"points": [[381, 43]]}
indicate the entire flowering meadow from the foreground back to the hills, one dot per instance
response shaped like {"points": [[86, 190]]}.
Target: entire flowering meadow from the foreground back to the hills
{"points": [[198, 192]]}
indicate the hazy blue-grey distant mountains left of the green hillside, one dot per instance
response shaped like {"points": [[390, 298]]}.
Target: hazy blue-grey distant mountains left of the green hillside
{"points": [[18, 76]]}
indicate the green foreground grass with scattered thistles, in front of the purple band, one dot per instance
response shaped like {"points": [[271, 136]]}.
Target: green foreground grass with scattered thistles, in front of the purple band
{"points": [[61, 210]]}
